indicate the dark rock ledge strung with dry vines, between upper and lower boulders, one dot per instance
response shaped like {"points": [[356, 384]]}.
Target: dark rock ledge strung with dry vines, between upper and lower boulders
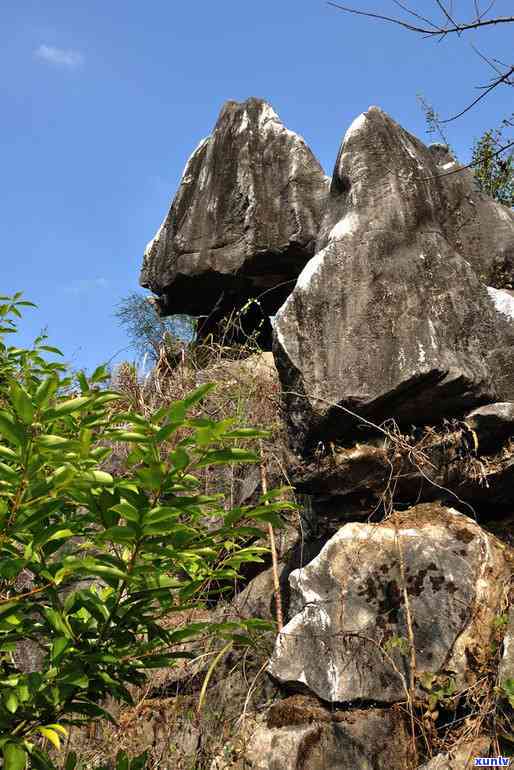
{"points": [[468, 461]]}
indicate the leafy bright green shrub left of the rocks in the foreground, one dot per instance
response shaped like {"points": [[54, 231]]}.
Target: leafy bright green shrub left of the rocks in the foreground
{"points": [[90, 565]]}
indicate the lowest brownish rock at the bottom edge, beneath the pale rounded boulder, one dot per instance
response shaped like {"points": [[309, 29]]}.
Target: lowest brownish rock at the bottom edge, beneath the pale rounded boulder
{"points": [[299, 735]]}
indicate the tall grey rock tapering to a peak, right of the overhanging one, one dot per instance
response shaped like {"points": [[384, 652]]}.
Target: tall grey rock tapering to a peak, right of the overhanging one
{"points": [[388, 319]]}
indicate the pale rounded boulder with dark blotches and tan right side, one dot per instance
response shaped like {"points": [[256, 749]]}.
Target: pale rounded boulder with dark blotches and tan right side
{"points": [[351, 606]]}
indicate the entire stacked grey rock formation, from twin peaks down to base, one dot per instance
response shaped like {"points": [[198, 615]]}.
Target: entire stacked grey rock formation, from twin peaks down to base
{"points": [[394, 349]]}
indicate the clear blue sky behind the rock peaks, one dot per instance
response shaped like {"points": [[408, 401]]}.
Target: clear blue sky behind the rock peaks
{"points": [[102, 103]]}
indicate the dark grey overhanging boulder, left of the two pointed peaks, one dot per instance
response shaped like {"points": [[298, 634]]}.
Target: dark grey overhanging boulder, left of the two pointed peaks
{"points": [[244, 220]]}
